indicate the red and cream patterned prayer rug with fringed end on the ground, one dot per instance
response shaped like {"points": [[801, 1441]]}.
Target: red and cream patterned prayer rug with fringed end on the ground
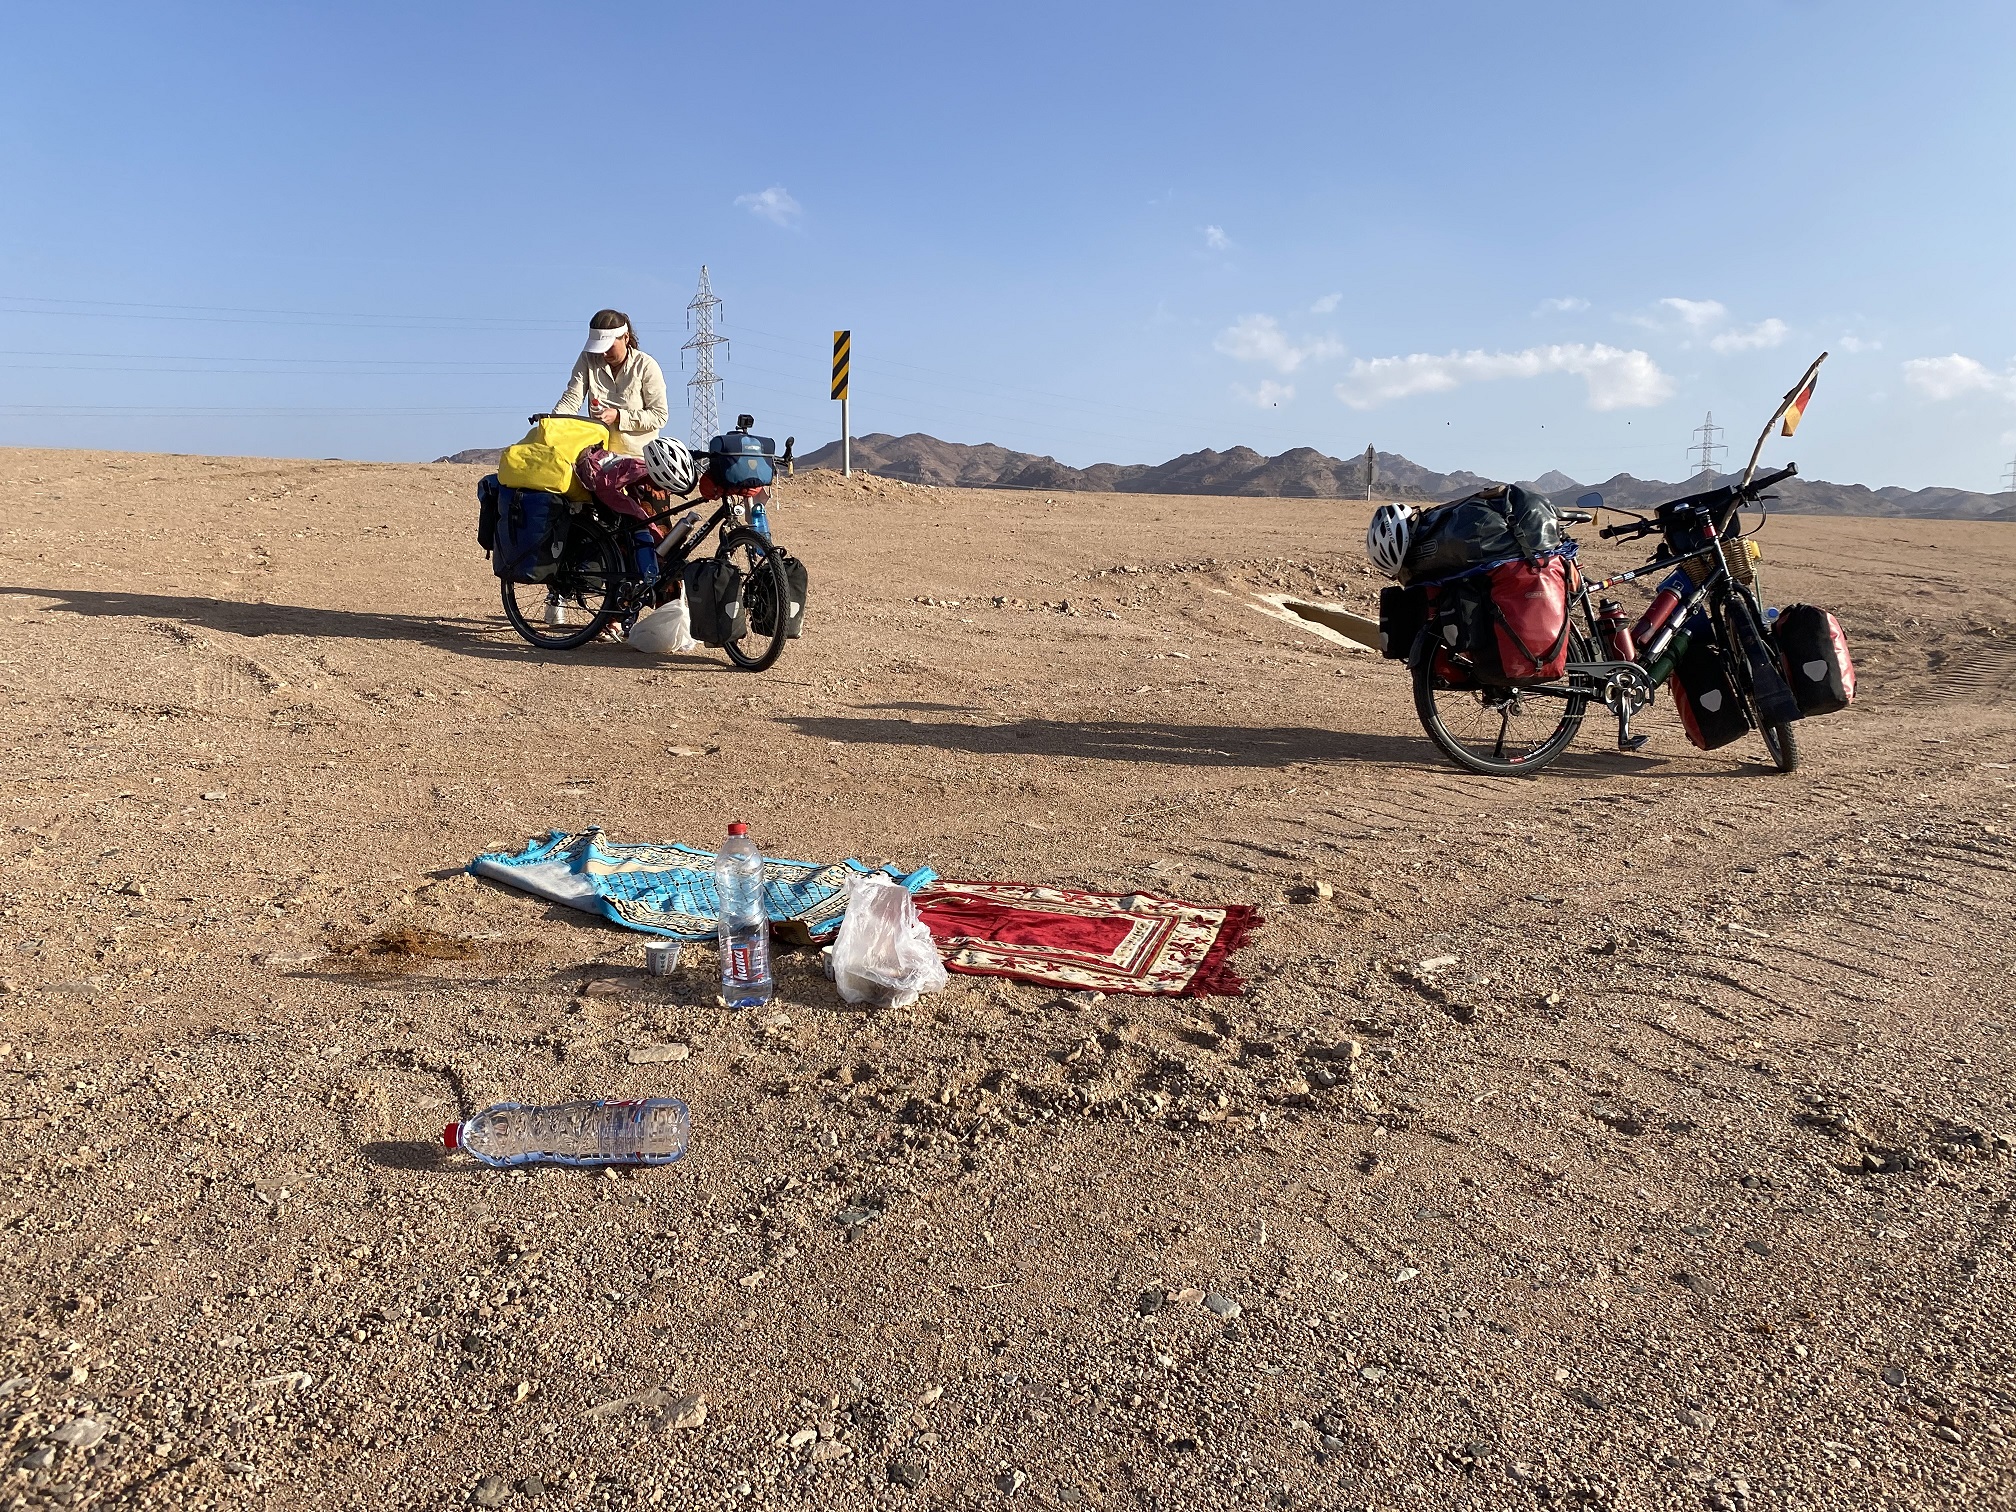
{"points": [[1100, 942]]}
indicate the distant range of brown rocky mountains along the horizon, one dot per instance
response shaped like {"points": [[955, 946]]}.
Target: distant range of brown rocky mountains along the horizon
{"points": [[1307, 473]]}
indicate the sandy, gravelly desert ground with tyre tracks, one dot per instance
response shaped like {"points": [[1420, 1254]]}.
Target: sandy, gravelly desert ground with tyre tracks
{"points": [[1684, 1184]]}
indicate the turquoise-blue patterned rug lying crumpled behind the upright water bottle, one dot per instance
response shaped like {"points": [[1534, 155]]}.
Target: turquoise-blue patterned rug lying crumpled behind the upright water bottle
{"points": [[668, 890]]}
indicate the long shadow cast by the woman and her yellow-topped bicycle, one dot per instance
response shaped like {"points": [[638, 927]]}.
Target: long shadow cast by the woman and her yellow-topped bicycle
{"points": [[491, 640]]}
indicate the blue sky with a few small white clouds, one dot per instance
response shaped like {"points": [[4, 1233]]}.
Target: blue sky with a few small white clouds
{"points": [[1487, 237]]}
